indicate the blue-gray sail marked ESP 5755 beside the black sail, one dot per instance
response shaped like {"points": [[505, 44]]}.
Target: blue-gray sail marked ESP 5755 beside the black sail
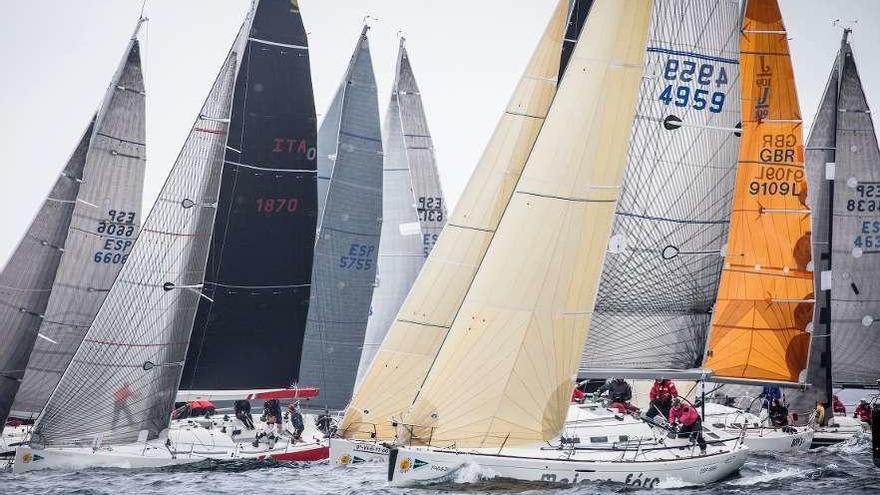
{"points": [[344, 269]]}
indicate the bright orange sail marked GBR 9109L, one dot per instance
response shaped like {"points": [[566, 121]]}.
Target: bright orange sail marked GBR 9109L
{"points": [[765, 298]]}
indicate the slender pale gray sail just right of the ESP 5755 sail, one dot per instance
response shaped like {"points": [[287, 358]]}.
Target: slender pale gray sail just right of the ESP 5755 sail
{"points": [[401, 248]]}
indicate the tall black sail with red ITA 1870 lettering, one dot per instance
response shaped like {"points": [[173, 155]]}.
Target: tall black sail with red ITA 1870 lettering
{"points": [[249, 335]]}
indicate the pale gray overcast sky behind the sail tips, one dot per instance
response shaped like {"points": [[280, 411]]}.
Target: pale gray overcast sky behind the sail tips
{"points": [[58, 56]]}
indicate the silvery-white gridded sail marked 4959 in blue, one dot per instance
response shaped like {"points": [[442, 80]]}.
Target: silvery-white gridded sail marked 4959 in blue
{"points": [[664, 257]]}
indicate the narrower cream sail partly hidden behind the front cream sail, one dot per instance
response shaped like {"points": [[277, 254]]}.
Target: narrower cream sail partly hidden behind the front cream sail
{"points": [[399, 368]]}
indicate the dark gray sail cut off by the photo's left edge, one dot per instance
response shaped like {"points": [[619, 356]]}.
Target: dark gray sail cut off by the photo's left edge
{"points": [[26, 280]]}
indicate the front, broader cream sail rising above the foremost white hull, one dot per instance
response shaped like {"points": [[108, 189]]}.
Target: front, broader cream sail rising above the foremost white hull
{"points": [[504, 374]]}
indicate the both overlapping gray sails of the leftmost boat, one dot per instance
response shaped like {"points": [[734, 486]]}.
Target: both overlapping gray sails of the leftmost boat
{"points": [[61, 271]]}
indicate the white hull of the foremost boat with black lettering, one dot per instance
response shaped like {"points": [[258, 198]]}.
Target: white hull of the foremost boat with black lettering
{"points": [[413, 466]]}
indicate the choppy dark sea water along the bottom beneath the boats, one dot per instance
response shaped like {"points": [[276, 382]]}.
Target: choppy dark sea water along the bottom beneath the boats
{"points": [[843, 468]]}
